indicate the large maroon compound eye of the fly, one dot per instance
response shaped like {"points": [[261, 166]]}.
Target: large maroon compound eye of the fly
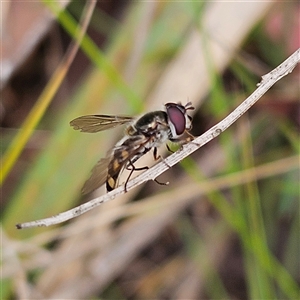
{"points": [[176, 115]]}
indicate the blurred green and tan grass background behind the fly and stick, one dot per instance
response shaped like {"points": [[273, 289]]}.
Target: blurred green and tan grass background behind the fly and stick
{"points": [[227, 226]]}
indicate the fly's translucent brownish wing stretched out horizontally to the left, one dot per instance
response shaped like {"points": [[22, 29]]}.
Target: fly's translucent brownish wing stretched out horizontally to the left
{"points": [[95, 123]]}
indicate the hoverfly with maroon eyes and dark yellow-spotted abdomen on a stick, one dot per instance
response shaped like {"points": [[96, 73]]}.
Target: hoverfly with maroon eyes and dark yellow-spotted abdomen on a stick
{"points": [[141, 135]]}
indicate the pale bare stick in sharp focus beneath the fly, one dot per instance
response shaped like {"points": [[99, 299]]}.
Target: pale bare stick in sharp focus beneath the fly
{"points": [[267, 82]]}
